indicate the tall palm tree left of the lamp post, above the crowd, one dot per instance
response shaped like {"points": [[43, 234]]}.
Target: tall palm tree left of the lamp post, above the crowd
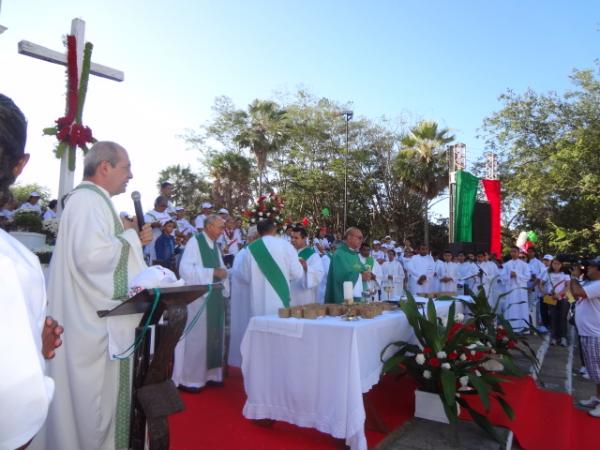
{"points": [[264, 132]]}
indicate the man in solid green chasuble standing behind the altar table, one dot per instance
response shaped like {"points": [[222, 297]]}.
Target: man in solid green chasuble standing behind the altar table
{"points": [[346, 266]]}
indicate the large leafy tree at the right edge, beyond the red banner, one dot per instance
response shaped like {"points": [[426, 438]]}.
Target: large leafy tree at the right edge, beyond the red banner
{"points": [[549, 162]]}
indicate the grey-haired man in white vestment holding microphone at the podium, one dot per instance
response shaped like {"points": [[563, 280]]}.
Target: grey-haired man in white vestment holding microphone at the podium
{"points": [[96, 255]]}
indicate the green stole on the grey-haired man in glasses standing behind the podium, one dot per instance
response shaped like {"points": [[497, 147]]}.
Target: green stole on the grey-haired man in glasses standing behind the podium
{"points": [[215, 307]]}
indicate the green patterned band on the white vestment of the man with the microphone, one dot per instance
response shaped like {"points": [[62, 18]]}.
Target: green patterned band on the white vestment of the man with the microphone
{"points": [[119, 293]]}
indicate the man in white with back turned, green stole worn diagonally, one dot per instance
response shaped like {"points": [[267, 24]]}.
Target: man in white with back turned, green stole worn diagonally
{"points": [[271, 261]]}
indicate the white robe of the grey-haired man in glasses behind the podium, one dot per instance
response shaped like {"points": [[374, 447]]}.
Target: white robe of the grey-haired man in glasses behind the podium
{"points": [[190, 367]]}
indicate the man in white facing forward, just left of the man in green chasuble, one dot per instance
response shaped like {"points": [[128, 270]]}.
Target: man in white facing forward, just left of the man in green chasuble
{"points": [[304, 289]]}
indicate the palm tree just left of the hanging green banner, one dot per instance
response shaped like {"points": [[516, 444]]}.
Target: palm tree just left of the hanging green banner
{"points": [[422, 164]]}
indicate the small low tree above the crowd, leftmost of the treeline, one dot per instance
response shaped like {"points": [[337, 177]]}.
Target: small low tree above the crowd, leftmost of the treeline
{"points": [[189, 189]]}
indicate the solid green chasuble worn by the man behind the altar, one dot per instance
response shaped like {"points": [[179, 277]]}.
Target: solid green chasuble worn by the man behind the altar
{"points": [[345, 266]]}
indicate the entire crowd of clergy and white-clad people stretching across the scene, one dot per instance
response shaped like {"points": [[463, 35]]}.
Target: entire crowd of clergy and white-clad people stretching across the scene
{"points": [[81, 391]]}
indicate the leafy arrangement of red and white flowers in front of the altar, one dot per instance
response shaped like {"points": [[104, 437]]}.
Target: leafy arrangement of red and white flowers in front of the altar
{"points": [[449, 360]]}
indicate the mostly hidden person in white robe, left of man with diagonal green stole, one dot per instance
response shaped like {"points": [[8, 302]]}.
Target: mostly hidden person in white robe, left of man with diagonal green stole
{"points": [[240, 303]]}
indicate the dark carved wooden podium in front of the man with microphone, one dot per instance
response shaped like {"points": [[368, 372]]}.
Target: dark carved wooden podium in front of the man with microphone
{"points": [[153, 395]]}
